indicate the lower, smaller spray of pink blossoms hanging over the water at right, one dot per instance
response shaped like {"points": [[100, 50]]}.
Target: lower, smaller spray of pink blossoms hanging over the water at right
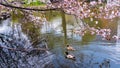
{"points": [[104, 33]]}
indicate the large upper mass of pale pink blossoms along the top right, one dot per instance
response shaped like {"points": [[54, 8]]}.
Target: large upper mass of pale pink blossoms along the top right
{"points": [[92, 9]]}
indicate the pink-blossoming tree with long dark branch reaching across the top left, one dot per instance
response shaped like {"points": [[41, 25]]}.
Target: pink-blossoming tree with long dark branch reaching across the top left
{"points": [[79, 8]]}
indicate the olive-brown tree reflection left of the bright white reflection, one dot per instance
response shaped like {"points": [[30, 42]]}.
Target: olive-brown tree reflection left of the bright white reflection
{"points": [[29, 27]]}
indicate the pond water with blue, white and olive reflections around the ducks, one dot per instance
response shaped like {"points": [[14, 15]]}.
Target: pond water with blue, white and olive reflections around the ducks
{"points": [[91, 50]]}
